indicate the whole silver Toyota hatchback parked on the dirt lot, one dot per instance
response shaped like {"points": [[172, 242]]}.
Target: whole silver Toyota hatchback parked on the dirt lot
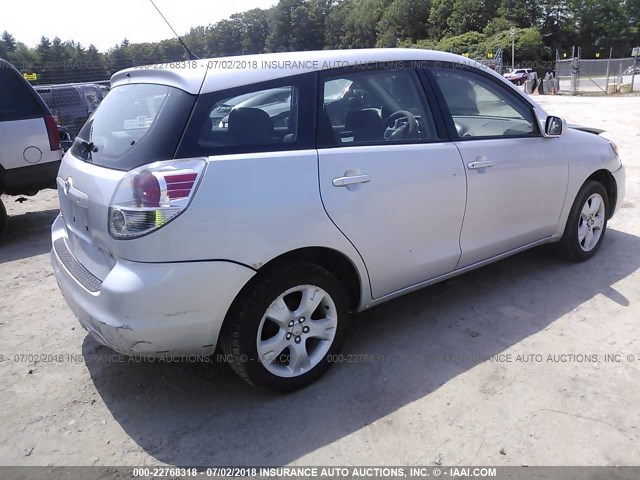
{"points": [[388, 170]]}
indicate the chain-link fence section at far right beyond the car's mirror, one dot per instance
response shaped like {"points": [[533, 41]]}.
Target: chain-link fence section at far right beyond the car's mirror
{"points": [[605, 76]]}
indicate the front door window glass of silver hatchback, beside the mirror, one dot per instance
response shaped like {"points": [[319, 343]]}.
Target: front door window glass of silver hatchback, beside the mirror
{"points": [[482, 108]]}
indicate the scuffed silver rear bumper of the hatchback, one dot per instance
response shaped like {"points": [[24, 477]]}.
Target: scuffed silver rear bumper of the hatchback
{"points": [[152, 309]]}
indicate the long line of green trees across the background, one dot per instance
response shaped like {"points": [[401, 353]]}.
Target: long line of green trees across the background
{"points": [[475, 28]]}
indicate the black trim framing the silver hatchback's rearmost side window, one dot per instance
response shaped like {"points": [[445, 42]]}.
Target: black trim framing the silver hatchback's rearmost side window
{"points": [[305, 138]]}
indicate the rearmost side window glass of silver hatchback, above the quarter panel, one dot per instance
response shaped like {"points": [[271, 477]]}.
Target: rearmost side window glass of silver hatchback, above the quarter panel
{"points": [[257, 118]]}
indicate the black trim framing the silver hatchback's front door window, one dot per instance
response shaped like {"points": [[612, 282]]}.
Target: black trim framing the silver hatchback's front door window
{"points": [[448, 118]]}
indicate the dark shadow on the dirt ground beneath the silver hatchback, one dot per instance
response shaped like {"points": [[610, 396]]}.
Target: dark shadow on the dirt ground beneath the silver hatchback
{"points": [[198, 414]]}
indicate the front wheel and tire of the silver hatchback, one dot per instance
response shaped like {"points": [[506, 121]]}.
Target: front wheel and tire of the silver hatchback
{"points": [[587, 223]]}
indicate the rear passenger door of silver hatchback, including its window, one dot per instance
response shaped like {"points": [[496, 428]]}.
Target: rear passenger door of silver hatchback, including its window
{"points": [[388, 180]]}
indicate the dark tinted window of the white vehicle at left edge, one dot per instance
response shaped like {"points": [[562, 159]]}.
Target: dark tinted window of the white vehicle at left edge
{"points": [[17, 101]]}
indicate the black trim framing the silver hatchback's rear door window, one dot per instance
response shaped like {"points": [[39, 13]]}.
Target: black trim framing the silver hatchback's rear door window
{"points": [[428, 97]]}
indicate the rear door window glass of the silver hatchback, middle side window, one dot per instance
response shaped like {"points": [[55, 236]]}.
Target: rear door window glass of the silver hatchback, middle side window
{"points": [[374, 107]]}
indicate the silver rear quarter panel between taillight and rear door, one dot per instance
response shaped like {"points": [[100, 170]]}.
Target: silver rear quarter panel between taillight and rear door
{"points": [[249, 208]]}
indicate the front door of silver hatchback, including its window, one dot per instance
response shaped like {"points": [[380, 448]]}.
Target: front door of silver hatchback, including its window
{"points": [[517, 178]]}
